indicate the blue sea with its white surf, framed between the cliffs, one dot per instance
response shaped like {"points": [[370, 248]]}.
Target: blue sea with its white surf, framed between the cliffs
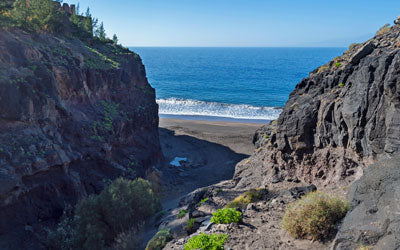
{"points": [[228, 83]]}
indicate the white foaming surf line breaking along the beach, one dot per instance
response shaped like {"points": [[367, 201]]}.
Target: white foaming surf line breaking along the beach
{"points": [[176, 106]]}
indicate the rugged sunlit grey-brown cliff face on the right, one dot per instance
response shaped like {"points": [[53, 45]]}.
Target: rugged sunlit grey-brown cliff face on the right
{"points": [[340, 118]]}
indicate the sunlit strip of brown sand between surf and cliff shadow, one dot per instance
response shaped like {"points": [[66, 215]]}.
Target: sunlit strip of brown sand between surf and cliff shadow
{"points": [[234, 135]]}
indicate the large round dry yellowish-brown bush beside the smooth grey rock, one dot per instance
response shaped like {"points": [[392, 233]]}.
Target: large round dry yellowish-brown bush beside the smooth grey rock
{"points": [[314, 215]]}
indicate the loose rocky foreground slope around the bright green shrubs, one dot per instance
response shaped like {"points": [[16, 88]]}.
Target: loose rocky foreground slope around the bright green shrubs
{"points": [[261, 225]]}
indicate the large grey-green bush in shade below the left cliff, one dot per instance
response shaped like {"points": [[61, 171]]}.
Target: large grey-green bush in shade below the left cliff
{"points": [[99, 219]]}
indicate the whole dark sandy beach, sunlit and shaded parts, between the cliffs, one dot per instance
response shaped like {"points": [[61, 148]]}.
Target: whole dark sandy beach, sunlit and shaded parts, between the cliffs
{"points": [[212, 150]]}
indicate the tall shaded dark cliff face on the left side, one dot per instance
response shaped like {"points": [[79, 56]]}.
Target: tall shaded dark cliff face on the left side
{"points": [[73, 116]]}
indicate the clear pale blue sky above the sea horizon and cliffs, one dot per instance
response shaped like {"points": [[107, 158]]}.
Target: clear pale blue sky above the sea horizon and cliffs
{"points": [[242, 23]]}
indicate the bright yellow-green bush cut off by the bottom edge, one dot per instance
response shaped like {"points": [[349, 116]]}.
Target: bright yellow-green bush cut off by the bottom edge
{"points": [[206, 242]]}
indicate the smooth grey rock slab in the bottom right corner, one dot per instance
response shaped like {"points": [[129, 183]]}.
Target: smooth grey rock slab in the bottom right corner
{"points": [[375, 209]]}
